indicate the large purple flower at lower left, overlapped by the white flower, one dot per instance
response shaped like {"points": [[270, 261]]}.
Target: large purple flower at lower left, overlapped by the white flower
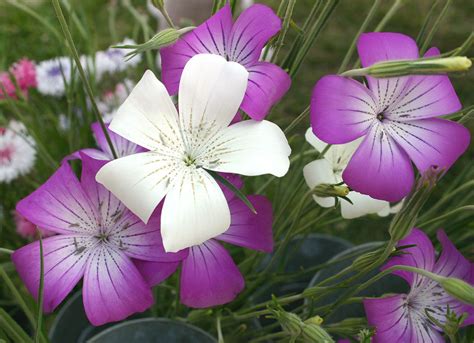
{"points": [[97, 237]]}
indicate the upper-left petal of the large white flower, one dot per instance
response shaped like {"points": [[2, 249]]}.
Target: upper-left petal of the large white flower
{"points": [[148, 117]]}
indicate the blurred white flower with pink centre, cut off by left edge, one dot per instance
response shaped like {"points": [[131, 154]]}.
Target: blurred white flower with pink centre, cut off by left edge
{"points": [[17, 152]]}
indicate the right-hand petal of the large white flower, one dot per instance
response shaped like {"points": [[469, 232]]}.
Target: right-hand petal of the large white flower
{"points": [[248, 148]]}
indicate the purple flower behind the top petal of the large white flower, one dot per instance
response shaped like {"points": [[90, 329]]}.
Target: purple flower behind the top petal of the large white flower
{"points": [[241, 42]]}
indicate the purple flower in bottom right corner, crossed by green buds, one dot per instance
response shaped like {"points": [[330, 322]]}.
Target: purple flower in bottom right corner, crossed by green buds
{"points": [[402, 317]]}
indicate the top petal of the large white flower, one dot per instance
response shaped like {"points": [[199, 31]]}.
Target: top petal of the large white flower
{"points": [[210, 92]]}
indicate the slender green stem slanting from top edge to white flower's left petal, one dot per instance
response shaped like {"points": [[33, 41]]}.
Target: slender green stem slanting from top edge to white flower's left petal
{"points": [[75, 55]]}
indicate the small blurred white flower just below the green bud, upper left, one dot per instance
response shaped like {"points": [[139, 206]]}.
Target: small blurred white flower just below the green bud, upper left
{"points": [[113, 60]]}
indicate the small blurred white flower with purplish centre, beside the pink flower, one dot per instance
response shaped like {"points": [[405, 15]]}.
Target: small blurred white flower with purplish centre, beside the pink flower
{"points": [[51, 74]]}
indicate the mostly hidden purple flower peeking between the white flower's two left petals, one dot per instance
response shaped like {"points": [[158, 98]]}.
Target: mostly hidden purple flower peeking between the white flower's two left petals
{"points": [[122, 146]]}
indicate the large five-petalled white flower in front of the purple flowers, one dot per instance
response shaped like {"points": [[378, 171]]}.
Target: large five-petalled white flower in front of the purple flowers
{"points": [[182, 149]]}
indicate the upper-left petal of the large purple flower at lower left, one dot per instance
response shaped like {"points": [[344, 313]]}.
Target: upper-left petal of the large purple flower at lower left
{"points": [[60, 205]]}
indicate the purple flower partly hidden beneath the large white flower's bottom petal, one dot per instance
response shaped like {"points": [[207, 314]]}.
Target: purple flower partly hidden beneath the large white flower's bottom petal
{"points": [[209, 276]]}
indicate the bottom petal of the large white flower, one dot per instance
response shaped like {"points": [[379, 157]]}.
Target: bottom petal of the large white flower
{"points": [[194, 211]]}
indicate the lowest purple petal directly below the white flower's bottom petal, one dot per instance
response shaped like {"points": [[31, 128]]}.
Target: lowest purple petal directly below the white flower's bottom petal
{"points": [[209, 276]]}
